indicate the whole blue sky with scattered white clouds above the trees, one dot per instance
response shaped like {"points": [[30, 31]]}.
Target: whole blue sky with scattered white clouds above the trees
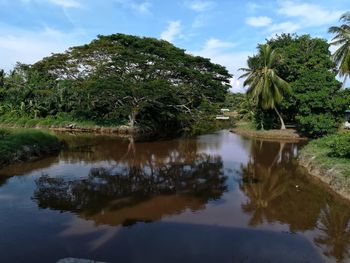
{"points": [[226, 31]]}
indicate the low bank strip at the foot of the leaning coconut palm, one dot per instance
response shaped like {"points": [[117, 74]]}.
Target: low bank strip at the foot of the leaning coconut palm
{"points": [[248, 130]]}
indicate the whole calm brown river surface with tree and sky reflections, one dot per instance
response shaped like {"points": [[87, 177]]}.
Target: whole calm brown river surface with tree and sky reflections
{"points": [[214, 198]]}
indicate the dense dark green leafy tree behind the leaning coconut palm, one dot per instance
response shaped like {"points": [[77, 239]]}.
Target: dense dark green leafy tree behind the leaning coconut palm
{"points": [[316, 100]]}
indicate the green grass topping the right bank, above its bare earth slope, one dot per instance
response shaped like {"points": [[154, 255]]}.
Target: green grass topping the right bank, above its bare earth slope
{"points": [[319, 151]]}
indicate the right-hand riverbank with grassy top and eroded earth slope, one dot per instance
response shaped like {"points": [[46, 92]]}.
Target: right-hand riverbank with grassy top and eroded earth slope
{"points": [[334, 171]]}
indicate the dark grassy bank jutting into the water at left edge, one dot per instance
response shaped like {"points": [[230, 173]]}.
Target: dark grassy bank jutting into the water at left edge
{"points": [[26, 145]]}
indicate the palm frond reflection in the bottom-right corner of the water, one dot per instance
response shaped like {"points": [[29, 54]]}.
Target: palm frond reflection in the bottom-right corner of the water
{"points": [[334, 223]]}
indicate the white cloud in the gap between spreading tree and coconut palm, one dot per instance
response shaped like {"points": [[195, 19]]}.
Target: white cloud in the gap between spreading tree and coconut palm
{"points": [[221, 52]]}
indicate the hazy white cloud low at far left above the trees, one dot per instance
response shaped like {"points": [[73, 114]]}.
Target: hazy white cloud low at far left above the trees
{"points": [[29, 47]]}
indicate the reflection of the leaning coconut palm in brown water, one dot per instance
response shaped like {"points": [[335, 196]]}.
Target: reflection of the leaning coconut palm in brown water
{"points": [[264, 180]]}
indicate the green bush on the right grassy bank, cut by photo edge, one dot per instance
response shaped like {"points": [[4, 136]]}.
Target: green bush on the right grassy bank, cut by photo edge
{"points": [[340, 145]]}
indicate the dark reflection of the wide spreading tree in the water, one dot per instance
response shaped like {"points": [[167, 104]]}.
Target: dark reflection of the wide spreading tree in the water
{"points": [[142, 187]]}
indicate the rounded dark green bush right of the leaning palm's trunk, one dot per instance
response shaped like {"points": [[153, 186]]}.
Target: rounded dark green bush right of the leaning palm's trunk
{"points": [[317, 125]]}
